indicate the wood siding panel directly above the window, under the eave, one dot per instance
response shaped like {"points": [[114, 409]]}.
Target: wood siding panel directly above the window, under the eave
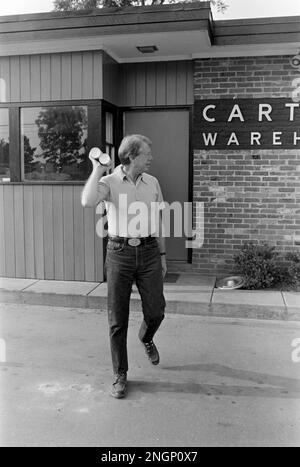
{"points": [[51, 77]]}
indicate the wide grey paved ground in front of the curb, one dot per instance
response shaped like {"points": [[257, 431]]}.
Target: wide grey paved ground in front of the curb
{"points": [[221, 382]]}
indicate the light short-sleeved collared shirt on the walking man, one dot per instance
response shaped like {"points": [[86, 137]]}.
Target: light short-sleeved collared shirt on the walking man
{"points": [[132, 208]]}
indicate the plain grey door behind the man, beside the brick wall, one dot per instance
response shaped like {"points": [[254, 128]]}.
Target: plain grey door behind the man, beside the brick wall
{"points": [[169, 133]]}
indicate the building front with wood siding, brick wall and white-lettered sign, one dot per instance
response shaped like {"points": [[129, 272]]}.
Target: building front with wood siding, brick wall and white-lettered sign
{"points": [[218, 99]]}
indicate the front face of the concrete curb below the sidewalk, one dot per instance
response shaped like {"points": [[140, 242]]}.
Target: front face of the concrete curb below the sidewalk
{"points": [[279, 313]]}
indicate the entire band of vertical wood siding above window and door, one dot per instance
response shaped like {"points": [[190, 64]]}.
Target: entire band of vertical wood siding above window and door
{"points": [[94, 75]]}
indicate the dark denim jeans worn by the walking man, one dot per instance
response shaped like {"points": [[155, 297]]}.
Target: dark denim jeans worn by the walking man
{"points": [[126, 264]]}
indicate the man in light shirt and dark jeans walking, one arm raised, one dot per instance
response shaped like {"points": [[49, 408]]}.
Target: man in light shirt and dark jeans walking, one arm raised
{"points": [[135, 249]]}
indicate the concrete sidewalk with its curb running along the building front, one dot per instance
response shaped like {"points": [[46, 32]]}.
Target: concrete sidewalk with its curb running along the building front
{"points": [[186, 293]]}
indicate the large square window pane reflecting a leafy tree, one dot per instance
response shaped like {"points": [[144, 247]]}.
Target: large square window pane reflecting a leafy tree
{"points": [[53, 143]]}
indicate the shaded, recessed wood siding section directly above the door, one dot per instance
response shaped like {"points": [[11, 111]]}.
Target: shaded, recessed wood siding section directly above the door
{"points": [[156, 84]]}
